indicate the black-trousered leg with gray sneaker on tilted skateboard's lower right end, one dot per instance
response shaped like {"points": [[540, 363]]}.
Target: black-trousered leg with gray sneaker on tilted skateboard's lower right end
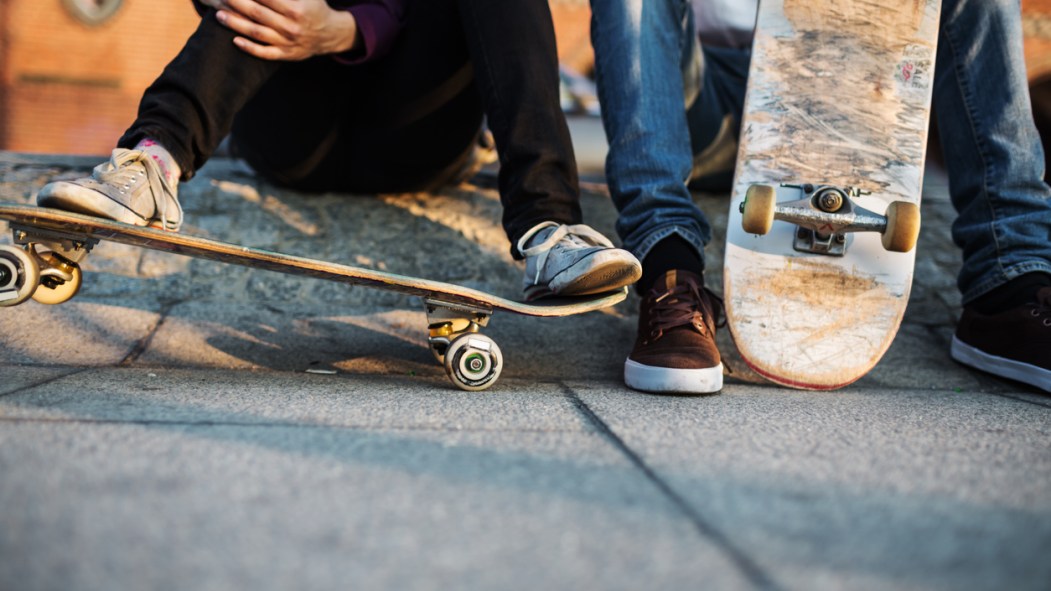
{"points": [[512, 45]]}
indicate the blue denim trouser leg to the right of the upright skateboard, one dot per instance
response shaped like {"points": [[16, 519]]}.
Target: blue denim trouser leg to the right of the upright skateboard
{"points": [[993, 150]]}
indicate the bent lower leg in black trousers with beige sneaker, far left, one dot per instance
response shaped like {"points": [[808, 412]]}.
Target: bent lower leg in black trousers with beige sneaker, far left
{"points": [[182, 118]]}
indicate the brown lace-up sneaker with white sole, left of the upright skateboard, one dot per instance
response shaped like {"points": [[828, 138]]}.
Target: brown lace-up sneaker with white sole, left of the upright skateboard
{"points": [[675, 351]]}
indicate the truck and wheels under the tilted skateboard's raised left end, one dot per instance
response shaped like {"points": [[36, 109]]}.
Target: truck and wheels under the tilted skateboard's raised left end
{"points": [[51, 276]]}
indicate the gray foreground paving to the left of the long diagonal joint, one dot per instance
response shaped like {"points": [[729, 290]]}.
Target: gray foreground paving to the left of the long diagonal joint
{"points": [[225, 480]]}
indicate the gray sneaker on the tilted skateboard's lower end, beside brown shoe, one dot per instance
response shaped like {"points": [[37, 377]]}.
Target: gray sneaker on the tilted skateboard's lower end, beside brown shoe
{"points": [[575, 260]]}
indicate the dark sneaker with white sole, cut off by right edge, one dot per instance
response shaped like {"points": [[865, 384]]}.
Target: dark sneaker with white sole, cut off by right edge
{"points": [[1015, 344]]}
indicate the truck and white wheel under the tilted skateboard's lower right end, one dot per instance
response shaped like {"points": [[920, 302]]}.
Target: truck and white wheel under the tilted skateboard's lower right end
{"points": [[472, 361]]}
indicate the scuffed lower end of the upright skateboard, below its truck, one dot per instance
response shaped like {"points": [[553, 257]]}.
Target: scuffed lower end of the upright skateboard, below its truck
{"points": [[811, 324]]}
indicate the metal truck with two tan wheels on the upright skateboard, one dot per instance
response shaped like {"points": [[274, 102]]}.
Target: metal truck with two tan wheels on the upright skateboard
{"points": [[825, 215]]}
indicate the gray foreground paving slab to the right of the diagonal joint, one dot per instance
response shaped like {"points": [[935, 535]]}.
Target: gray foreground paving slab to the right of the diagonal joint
{"points": [[865, 488]]}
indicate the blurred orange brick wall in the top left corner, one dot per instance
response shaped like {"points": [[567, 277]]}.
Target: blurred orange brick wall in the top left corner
{"points": [[72, 88]]}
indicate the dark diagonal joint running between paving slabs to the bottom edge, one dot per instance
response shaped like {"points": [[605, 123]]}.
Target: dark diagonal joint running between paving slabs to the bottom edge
{"points": [[748, 567]]}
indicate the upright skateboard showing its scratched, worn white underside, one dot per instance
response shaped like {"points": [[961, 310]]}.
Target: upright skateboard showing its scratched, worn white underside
{"points": [[825, 212]]}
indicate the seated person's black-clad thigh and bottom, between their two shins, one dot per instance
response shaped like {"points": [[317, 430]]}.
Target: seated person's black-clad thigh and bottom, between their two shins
{"points": [[398, 125]]}
